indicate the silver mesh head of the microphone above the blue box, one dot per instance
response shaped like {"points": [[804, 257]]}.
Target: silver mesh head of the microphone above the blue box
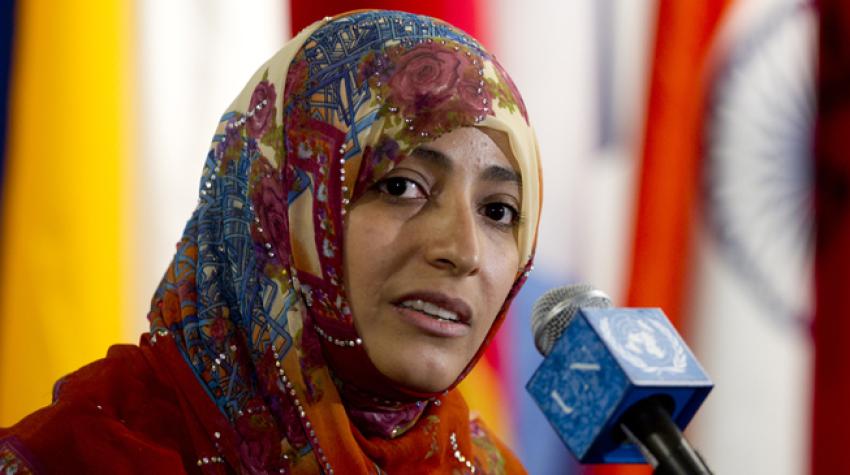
{"points": [[555, 309]]}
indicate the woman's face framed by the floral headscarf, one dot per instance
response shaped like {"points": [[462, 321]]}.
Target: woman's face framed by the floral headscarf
{"points": [[430, 256]]}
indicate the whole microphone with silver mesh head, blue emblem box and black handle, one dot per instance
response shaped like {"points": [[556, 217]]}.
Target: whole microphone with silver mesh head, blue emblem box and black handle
{"points": [[617, 384]]}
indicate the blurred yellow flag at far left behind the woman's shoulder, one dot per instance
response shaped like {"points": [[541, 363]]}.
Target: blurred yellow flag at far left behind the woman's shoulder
{"points": [[61, 261]]}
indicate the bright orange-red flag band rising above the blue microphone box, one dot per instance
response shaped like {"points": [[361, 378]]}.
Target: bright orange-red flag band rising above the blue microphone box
{"points": [[668, 177]]}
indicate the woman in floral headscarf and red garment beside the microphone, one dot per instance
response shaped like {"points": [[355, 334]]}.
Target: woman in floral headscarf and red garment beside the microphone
{"points": [[367, 211]]}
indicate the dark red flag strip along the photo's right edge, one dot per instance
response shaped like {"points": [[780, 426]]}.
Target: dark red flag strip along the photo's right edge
{"points": [[832, 252]]}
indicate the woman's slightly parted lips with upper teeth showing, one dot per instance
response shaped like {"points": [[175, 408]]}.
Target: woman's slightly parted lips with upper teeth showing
{"points": [[435, 313]]}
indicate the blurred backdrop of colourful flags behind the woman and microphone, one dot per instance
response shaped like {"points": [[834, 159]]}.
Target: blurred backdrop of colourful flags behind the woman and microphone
{"points": [[677, 143]]}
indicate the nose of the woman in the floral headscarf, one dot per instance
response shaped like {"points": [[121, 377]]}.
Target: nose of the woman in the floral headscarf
{"points": [[453, 241]]}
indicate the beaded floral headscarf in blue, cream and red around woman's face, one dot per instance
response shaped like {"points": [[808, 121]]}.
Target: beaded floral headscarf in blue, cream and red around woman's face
{"points": [[253, 298]]}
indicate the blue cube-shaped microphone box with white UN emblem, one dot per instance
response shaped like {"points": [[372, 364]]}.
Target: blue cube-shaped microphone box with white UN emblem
{"points": [[606, 360]]}
